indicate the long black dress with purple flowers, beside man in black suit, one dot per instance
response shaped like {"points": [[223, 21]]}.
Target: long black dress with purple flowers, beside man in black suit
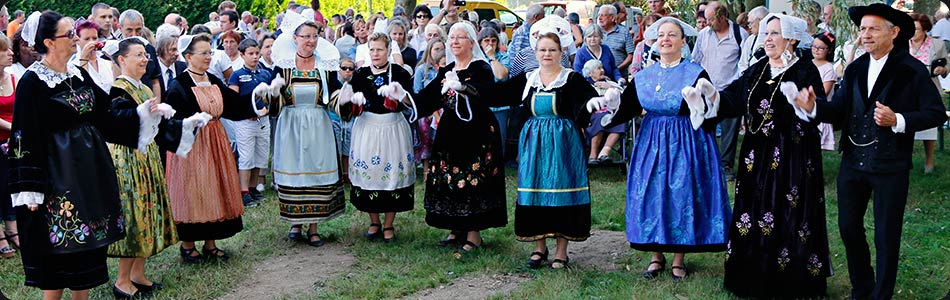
{"points": [[778, 240]]}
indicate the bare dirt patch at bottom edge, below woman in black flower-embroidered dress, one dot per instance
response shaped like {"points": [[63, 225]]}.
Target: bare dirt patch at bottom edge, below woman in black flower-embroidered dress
{"points": [[473, 287]]}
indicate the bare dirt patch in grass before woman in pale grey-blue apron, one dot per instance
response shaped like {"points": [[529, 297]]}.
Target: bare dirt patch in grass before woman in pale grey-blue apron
{"points": [[293, 274]]}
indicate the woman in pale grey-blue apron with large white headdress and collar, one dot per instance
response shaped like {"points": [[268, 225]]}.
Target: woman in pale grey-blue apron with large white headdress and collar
{"points": [[306, 163]]}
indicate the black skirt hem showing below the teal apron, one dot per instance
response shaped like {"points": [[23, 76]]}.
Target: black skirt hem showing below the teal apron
{"points": [[534, 223]]}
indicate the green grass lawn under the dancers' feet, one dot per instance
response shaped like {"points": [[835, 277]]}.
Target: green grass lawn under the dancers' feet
{"points": [[414, 262]]}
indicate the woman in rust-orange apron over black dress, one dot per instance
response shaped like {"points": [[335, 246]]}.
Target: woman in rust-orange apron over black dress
{"points": [[204, 188]]}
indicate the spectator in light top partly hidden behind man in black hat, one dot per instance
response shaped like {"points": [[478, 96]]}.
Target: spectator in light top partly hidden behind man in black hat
{"points": [[933, 54]]}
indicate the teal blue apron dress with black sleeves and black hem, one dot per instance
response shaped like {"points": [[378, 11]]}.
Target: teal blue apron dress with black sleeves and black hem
{"points": [[553, 188]]}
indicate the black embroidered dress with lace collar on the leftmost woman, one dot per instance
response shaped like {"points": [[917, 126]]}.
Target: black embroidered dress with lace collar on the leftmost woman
{"points": [[58, 149]]}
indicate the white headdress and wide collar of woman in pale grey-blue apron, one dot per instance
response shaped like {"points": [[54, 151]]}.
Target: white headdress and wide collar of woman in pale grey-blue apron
{"points": [[284, 51]]}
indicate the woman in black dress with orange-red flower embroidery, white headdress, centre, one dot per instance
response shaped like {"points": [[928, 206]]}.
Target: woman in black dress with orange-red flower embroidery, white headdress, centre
{"points": [[465, 190]]}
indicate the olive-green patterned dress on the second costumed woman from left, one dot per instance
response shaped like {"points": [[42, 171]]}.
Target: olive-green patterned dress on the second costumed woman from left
{"points": [[144, 195]]}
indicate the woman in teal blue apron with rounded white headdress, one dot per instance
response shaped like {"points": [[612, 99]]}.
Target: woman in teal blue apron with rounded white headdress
{"points": [[553, 189]]}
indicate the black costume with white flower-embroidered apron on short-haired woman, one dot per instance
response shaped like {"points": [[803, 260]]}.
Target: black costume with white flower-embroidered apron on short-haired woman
{"points": [[382, 170]]}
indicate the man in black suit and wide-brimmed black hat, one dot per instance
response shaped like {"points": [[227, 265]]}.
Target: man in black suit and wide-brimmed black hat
{"points": [[885, 96]]}
